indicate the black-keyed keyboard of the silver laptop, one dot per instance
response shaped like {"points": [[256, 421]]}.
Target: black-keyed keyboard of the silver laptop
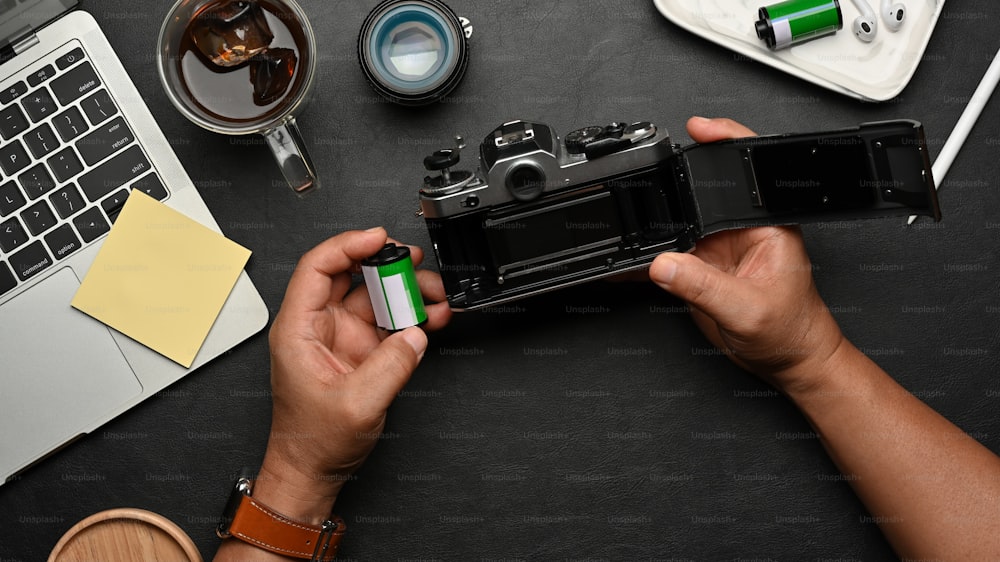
{"points": [[68, 160]]}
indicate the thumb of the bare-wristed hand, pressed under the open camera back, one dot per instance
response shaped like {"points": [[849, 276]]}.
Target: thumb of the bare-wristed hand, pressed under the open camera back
{"points": [[710, 290]]}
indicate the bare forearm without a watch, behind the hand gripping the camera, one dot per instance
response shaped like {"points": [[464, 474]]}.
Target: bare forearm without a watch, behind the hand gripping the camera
{"points": [[934, 491]]}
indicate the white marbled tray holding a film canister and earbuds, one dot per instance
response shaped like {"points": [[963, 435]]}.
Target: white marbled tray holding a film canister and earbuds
{"points": [[875, 71]]}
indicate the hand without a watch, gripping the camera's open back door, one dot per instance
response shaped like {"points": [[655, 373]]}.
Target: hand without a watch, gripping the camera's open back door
{"points": [[751, 292]]}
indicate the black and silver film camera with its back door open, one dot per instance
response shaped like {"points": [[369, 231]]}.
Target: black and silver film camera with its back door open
{"points": [[542, 213]]}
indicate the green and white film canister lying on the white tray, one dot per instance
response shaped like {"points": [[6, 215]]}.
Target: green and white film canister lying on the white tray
{"points": [[795, 21]]}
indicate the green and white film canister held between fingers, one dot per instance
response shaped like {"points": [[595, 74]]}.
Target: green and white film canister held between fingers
{"points": [[392, 287]]}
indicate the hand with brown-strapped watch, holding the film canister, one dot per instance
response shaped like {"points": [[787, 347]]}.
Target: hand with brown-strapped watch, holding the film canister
{"points": [[332, 375]]}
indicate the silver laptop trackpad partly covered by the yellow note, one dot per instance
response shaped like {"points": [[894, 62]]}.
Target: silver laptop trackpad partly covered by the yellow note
{"points": [[62, 370]]}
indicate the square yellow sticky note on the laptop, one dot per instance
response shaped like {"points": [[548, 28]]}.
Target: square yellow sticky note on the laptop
{"points": [[161, 278]]}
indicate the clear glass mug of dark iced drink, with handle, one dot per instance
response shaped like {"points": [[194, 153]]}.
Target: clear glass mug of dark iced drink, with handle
{"points": [[240, 67]]}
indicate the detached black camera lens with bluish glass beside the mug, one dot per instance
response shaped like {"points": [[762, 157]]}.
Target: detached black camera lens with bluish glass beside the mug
{"points": [[413, 52]]}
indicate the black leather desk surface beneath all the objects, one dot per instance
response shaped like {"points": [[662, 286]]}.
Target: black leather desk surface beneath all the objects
{"points": [[593, 423]]}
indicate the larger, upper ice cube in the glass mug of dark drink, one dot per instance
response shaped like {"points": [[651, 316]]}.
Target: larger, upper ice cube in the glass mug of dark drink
{"points": [[230, 32]]}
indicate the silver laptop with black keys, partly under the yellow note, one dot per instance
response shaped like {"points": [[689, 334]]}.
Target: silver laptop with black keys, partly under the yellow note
{"points": [[75, 138]]}
